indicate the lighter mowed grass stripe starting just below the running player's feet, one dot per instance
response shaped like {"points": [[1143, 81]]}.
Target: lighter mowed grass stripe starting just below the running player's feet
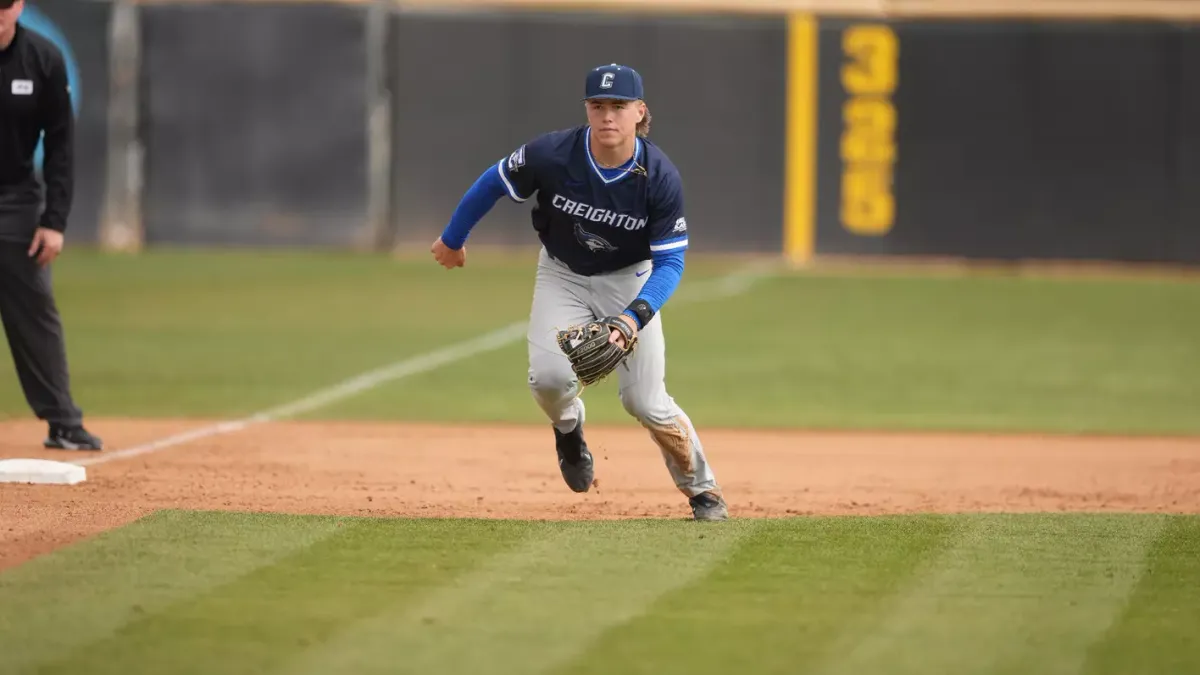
{"points": [[533, 608]]}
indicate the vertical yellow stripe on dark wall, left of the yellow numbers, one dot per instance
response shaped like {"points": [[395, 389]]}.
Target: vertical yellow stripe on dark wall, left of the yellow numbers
{"points": [[801, 176]]}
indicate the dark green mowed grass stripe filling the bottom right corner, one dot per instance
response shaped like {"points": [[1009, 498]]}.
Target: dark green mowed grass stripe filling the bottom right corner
{"points": [[1160, 631]]}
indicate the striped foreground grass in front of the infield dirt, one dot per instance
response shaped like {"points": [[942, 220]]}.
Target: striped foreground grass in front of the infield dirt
{"points": [[219, 593]]}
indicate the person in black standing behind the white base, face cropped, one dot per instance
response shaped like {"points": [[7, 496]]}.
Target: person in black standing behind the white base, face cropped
{"points": [[35, 100]]}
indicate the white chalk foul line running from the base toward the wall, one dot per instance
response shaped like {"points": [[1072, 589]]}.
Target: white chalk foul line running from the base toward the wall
{"points": [[723, 288]]}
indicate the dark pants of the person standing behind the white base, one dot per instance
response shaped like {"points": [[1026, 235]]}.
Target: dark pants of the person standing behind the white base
{"points": [[35, 337]]}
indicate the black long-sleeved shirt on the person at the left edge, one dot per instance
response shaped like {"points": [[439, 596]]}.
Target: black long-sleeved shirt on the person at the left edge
{"points": [[35, 99]]}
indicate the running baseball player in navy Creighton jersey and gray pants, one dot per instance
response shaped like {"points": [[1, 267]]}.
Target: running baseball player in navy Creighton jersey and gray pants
{"points": [[610, 216]]}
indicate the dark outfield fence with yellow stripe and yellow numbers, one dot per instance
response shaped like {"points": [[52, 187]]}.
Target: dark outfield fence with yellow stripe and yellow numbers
{"points": [[980, 129]]}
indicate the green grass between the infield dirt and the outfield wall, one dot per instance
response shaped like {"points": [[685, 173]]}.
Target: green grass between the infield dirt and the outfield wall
{"points": [[223, 334]]}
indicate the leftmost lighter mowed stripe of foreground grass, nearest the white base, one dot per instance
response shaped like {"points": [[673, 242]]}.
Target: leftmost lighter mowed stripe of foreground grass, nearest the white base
{"points": [[89, 593]]}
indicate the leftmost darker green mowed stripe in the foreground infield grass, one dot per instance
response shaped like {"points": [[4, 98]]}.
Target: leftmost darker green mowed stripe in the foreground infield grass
{"points": [[263, 619]]}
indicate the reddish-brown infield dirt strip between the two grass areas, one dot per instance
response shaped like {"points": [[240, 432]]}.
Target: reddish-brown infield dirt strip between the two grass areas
{"points": [[477, 471]]}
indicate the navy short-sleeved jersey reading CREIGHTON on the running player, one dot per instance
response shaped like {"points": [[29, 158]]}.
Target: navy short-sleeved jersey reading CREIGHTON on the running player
{"points": [[595, 219]]}
